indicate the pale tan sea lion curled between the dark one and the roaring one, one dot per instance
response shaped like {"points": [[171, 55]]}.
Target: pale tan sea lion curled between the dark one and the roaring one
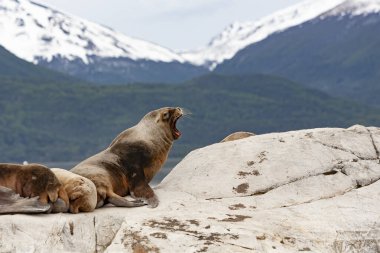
{"points": [[81, 191]]}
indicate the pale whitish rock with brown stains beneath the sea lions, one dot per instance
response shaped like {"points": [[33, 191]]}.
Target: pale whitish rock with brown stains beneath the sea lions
{"points": [[305, 191]]}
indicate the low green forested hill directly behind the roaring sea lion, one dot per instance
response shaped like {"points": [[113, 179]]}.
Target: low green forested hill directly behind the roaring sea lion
{"points": [[60, 122]]}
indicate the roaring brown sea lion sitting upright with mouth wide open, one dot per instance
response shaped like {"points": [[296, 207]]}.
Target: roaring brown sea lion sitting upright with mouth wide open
{"points": [[132, 160]]}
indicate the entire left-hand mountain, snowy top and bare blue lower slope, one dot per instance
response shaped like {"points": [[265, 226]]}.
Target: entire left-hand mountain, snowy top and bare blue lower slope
{"points": [[66, 43]]}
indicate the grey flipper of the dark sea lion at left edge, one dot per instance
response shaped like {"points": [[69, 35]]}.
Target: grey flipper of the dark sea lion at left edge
{"points": [[10, 202]]}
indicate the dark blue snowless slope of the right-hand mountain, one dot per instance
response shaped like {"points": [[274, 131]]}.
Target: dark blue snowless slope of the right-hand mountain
{"points": [[336, 54]]}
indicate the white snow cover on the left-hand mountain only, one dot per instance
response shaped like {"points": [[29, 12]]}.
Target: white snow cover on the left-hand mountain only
{"points": [[33, 32]]}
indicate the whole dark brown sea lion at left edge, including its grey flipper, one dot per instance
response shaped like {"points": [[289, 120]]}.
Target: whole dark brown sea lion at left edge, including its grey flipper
{"points": [[28, 181]]}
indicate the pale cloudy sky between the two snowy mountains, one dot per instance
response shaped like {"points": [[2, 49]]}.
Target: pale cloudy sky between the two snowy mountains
{"points": [[175, 24]]}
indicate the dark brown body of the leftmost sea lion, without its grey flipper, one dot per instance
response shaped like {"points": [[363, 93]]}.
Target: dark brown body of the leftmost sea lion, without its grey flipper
{"points": [[30, 181]]}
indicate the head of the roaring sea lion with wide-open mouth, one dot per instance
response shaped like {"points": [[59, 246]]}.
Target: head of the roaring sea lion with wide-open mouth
{"points": [[166, 119]]}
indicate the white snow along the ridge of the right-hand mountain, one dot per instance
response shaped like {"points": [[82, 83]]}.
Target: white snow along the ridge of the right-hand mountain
{"points": [[239, 35]]}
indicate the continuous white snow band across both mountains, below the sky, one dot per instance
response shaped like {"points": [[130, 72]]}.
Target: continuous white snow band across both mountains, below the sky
{"points": [[35, 32]]}
